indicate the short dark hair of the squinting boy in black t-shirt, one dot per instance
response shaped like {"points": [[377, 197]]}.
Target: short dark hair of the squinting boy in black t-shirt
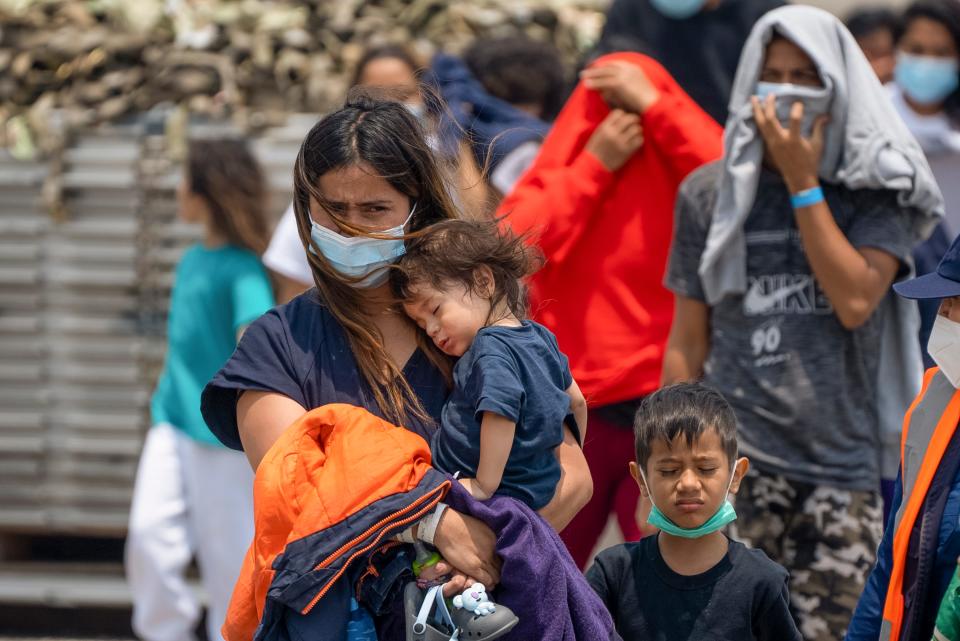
{"points": [[687, 410]]}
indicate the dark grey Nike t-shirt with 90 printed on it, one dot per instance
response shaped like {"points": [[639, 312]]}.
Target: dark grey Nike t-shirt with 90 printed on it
{"points": [[803, 386]]}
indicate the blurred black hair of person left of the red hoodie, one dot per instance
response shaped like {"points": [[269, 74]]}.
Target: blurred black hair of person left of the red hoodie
{"points": [[519, 70]]}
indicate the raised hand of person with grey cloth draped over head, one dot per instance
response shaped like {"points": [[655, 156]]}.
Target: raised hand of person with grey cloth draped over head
{"points": [[797, 158]]}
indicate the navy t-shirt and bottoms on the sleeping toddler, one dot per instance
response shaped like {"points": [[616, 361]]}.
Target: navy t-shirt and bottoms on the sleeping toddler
{"points": [[518, 373]]}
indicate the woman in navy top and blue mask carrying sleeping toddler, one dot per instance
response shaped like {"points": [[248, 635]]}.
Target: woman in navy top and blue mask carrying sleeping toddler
{"points": [[364, 178]]}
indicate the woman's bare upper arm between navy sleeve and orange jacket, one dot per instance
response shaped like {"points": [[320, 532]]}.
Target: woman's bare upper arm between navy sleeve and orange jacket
{"points": [[261, 418]]}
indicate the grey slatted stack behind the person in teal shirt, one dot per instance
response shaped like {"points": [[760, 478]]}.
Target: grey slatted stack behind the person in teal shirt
{"points": [[83, 303]]}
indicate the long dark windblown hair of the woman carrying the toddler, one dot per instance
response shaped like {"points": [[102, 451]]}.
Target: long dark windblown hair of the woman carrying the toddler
{"points": [[387, 138]]}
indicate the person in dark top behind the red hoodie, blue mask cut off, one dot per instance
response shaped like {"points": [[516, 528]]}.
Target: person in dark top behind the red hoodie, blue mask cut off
{"points": [[697, 41]]}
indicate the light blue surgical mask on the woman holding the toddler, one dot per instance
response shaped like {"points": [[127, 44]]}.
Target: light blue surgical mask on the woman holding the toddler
{"points": [[361, 256]]}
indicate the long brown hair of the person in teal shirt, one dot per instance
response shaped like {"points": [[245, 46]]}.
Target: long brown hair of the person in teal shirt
{"points": [[227, 176]]}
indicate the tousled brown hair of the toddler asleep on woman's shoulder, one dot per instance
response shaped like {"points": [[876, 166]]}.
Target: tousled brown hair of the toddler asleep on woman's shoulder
{"points": [[451, 251]]}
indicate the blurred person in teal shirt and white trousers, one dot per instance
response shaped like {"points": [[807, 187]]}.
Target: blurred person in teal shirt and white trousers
{"points": [[194, 497]]}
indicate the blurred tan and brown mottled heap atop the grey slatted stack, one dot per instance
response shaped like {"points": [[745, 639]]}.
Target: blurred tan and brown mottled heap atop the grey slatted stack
{"points": [[252, 61]]}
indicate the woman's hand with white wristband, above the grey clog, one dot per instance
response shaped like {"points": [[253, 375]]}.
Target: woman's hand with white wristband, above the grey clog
{"points": [[468, 545]]}
